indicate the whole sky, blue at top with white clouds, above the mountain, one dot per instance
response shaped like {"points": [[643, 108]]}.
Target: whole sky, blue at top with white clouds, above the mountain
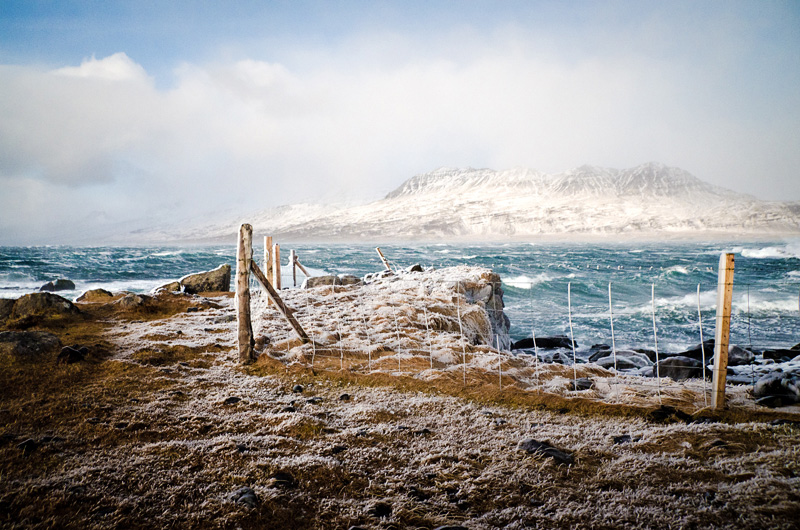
{"points": [[117, 116]]}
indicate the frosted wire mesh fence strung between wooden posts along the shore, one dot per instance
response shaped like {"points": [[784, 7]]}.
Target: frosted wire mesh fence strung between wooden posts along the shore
{"points": [[419, 326]]}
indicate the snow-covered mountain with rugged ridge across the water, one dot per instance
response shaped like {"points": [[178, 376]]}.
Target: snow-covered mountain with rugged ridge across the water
{"points": [[484, 204]]}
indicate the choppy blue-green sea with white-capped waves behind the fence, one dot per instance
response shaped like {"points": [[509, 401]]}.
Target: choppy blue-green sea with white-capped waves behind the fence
{"points": [[536, 280]]}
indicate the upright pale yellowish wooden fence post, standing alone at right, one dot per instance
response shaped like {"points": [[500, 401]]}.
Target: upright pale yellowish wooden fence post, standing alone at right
{"points": [[723, 331]]}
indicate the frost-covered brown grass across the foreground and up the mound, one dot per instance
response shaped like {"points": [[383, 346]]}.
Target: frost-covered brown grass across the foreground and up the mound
{"points": [[147, 434]]}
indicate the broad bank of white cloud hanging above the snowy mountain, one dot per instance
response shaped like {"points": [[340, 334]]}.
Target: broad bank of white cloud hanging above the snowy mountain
{"points": [[342, 121]]}
